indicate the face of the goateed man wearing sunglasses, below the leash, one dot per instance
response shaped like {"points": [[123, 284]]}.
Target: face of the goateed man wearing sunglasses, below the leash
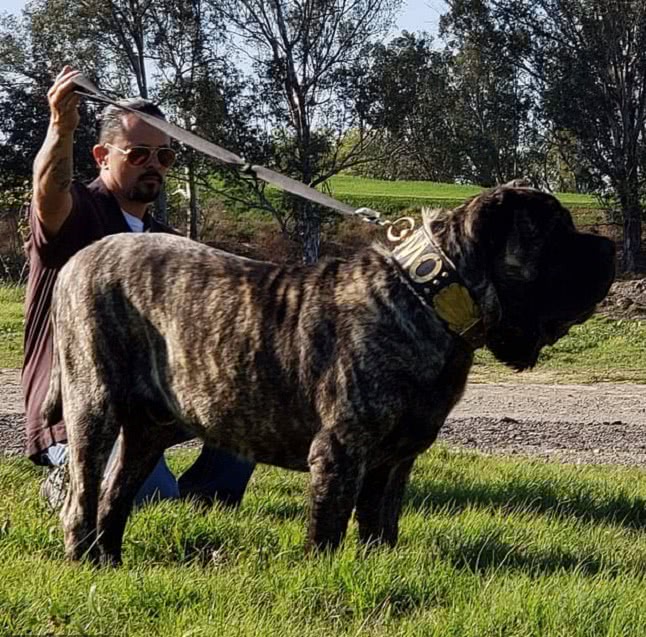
{"points": [[134, 183]]}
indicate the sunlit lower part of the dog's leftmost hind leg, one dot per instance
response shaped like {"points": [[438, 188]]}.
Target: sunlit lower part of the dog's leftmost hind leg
{"points": [[92, 430]]}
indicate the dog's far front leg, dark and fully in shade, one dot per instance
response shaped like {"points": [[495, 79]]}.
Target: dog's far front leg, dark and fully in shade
{"points": [[379, 502]]}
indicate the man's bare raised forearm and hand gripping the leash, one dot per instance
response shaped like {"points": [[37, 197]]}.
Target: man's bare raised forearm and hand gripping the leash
{"points": [[53, 167]]}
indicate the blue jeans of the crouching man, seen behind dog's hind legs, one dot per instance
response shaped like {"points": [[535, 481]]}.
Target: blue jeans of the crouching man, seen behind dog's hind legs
{"points": [[216, 475]]}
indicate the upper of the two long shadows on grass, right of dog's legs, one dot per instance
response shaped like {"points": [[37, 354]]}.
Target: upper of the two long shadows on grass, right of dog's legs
{"points": [[532, 496]]}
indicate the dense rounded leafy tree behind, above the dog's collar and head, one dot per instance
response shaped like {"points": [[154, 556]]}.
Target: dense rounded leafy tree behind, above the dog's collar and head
{"points": [[462, 113]]}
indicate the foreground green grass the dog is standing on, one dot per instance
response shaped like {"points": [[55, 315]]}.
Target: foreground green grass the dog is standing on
{"points": [[487, 547]]}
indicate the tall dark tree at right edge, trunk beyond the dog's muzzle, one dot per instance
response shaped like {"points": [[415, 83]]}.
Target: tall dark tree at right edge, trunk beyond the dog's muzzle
{"points": [[598, 94]]}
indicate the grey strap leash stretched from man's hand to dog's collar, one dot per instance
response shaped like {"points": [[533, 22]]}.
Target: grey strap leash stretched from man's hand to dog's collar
{"points": [[231, 159]]}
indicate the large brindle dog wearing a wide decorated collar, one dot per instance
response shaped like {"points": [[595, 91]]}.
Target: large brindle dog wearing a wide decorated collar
{"points": [[347, 369]]}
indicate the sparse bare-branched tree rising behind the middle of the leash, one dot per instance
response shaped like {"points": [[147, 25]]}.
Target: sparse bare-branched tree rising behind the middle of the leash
{"points": [[303, 52]]}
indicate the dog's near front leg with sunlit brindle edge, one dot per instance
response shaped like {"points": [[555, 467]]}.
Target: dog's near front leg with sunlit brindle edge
{"points": [[336, 471]]}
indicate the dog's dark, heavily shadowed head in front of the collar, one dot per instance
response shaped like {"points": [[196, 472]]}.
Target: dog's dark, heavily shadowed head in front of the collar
{"points": [[547, 276]]}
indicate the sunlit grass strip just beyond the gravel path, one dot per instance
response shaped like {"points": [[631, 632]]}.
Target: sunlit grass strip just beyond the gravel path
{"points": [[601, 350]]}
